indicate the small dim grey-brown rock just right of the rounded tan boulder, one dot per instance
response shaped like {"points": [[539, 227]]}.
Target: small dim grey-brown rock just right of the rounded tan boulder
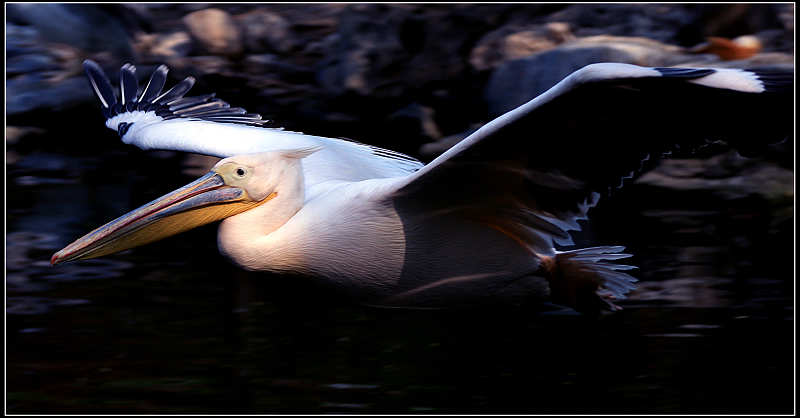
{"points": [[263, 30]]}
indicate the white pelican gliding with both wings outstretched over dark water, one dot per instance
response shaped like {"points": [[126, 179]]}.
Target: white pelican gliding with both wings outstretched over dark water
{"points": [[481, 221]]}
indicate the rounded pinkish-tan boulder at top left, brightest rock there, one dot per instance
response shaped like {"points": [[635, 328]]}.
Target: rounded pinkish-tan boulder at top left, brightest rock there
{"points": [[215, 32]]}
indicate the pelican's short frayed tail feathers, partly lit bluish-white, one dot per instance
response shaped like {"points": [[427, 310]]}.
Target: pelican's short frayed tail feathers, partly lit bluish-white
{"points": [[586, 280]]}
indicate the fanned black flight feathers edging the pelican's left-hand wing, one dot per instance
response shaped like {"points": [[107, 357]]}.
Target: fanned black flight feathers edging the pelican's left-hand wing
{"points": [[170, 105]]}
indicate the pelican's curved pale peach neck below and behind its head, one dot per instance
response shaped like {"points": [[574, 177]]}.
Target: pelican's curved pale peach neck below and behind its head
{"points": [[239, 234]]}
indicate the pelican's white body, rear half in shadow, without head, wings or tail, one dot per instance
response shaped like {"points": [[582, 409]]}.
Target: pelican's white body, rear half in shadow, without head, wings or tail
{"points": [[353, 235]]}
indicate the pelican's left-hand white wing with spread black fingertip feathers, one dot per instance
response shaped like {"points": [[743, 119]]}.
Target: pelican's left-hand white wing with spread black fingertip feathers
{"points": [[152, 119]]}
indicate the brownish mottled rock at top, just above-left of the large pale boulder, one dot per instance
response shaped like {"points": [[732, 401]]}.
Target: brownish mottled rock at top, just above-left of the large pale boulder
{"points": [[511, 42]]}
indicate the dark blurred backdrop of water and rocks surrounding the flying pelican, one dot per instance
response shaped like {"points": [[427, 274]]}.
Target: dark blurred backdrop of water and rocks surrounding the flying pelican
{"points": [[171, 327]]}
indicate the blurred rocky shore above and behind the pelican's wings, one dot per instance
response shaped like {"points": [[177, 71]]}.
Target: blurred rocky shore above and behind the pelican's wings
{"points": [[415, 78]]}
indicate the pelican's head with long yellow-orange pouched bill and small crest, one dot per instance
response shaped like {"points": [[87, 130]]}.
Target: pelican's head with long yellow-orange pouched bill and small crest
{"points": [[234, 185]]}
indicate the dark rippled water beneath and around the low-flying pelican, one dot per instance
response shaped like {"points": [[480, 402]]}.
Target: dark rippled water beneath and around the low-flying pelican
{"points": [[171, 328]]}
